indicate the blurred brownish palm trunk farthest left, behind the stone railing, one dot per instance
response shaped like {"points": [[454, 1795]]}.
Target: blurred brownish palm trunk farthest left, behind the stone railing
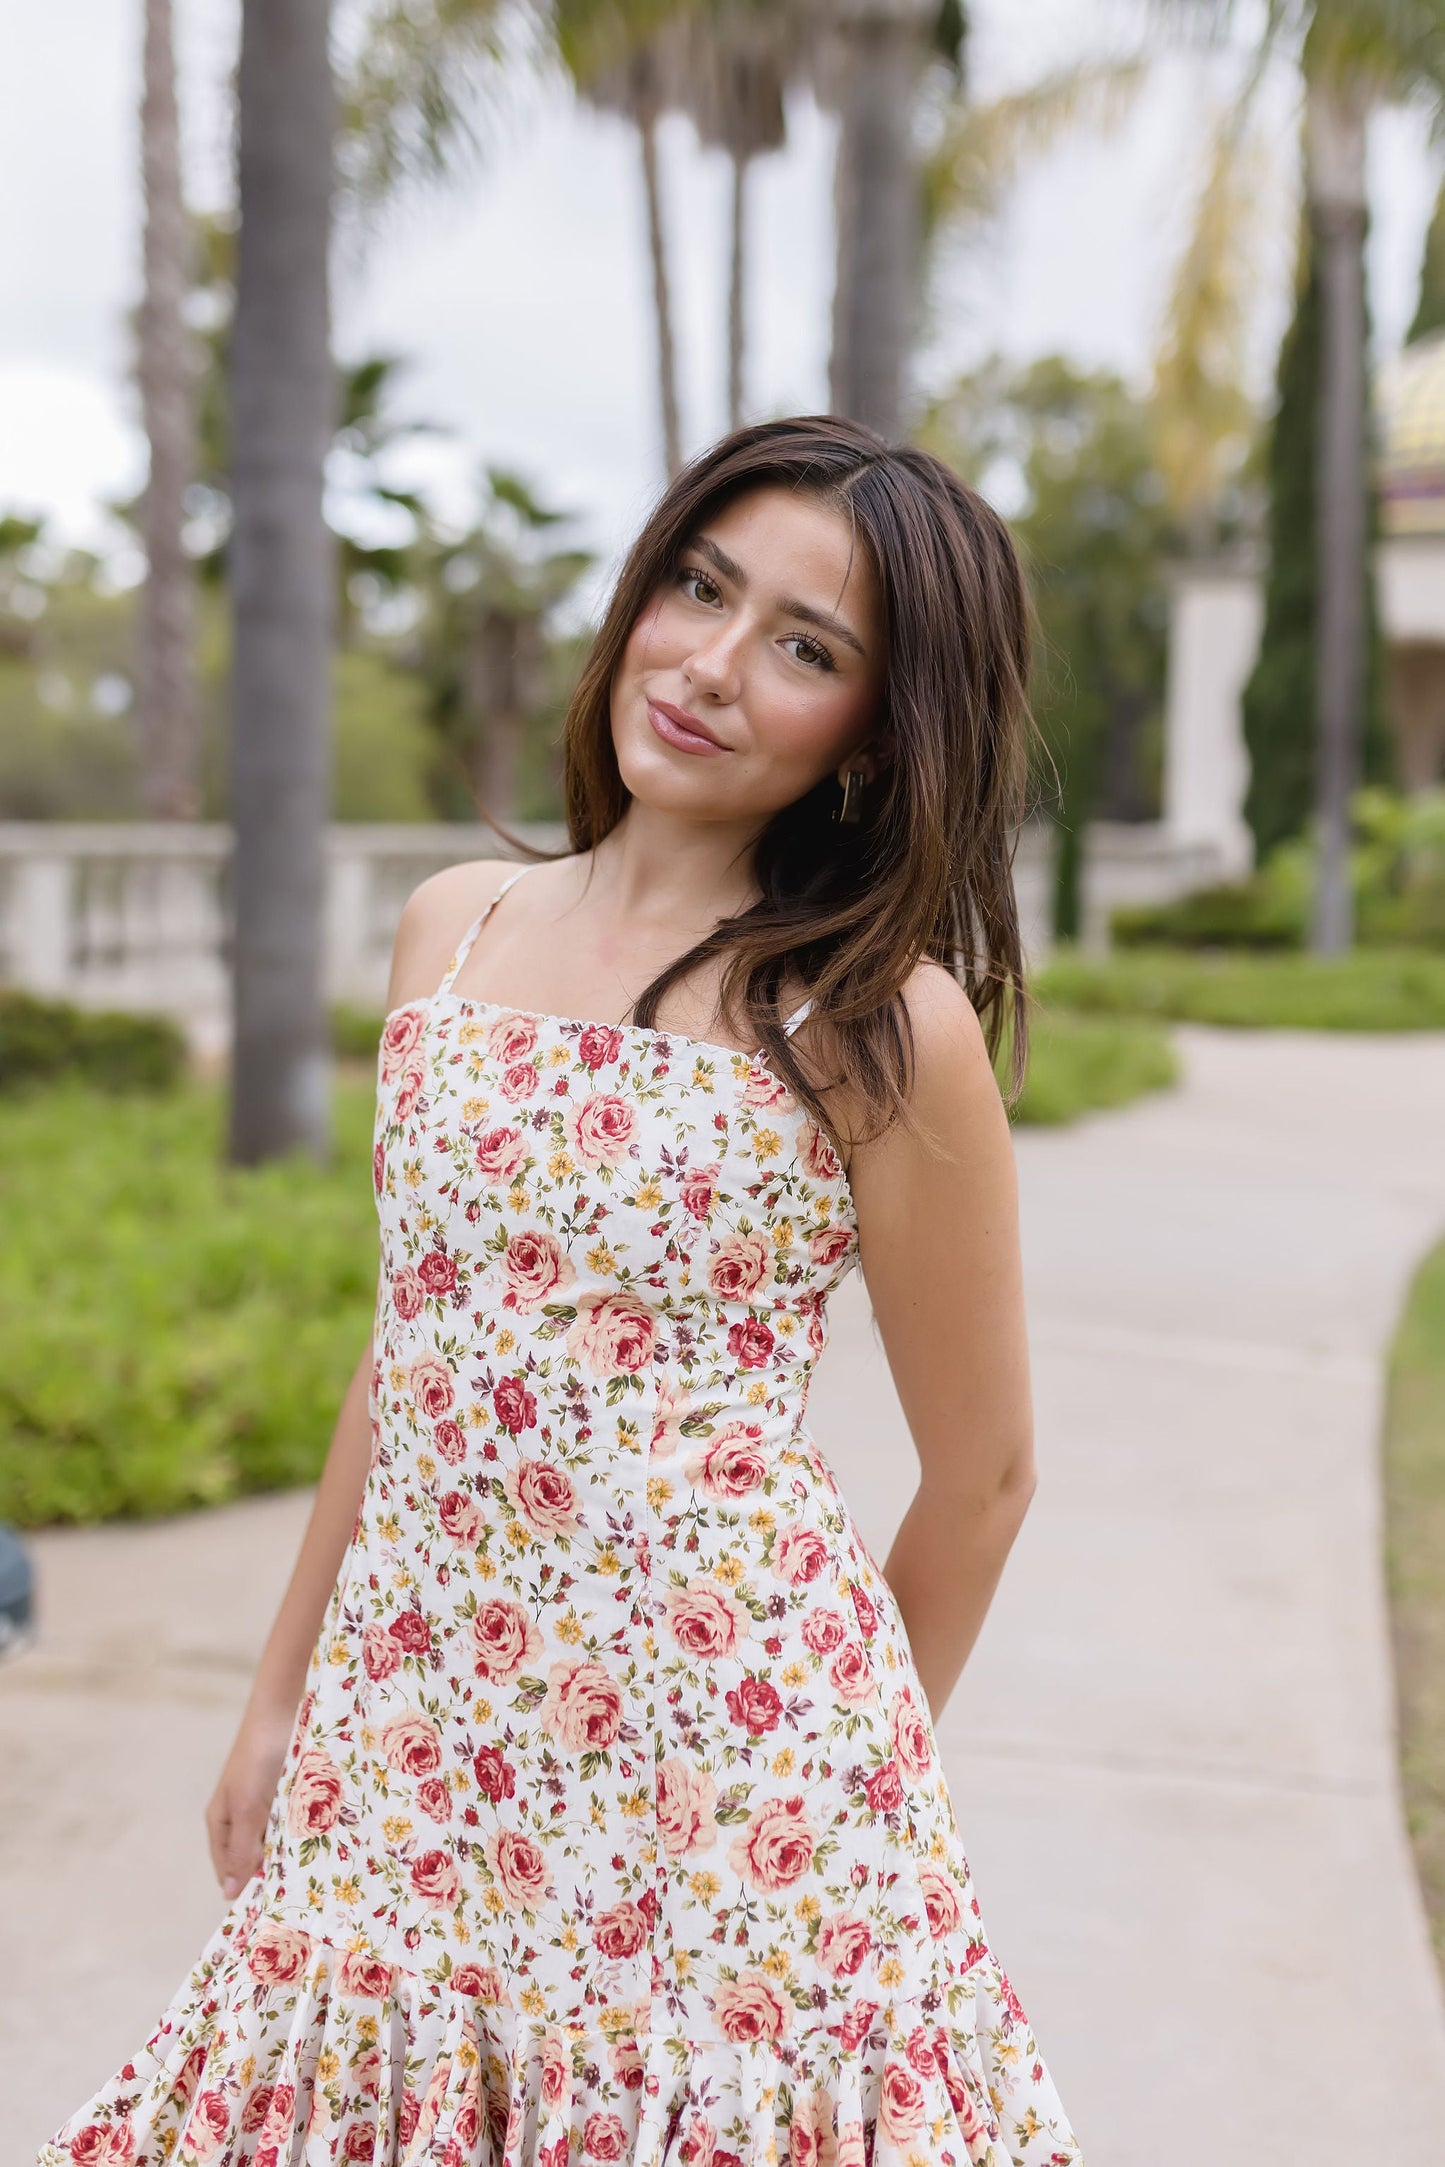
{"points": [[166, 660]]}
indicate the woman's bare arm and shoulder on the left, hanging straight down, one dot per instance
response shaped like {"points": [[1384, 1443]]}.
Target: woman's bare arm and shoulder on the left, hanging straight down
{"points": [[237, 1815]]}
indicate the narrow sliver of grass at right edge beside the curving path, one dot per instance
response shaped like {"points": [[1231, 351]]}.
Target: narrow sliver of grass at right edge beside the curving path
{"points": [[1416, 1568]]}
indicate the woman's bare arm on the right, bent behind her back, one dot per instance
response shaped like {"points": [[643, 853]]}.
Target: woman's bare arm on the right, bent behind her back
{"points": [[939, 1251]]}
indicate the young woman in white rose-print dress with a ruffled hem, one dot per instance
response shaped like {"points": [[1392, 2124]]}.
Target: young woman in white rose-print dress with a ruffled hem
{"points": [[588, 1800]]}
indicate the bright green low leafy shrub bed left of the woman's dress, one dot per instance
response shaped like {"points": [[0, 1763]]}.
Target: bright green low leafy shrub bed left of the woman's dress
{"points": [[174, 1332]]}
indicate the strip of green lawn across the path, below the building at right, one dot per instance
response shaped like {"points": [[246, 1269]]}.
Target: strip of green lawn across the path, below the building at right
{"points": [[1364, 991]]}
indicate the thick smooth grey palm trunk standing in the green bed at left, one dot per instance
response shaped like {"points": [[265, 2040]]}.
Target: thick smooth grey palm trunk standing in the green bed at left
{"points": [[283, 411]]}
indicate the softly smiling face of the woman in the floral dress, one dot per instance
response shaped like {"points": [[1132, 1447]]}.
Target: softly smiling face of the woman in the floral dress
{"points": [[759, 669]]}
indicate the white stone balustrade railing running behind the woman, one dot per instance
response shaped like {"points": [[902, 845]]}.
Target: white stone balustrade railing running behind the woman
{"points": [[135, 916]]}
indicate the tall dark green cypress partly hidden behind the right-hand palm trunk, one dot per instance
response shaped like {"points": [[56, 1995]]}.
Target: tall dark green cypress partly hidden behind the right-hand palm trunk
{"points": [[1279, 699]]}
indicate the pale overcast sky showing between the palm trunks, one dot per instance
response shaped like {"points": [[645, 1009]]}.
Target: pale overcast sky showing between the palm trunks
{"points": [[523, 296]]}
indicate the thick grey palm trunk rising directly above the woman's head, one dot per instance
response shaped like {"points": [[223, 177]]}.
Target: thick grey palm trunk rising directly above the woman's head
{"points": [[876, 196]]}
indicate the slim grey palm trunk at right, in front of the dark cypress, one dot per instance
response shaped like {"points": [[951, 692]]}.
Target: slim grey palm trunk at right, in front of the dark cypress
{"points": [[1336, 181]]}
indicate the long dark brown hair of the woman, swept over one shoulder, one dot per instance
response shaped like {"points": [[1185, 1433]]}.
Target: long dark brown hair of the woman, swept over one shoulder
{"points": [[928, 870]]}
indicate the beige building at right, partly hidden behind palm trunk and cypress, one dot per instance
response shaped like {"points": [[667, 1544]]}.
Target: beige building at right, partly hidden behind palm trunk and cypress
{"points": [[1219, 614]]}
